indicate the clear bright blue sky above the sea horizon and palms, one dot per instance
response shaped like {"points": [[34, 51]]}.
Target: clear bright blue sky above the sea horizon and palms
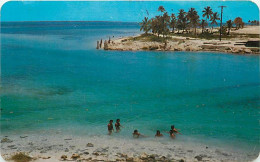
{"points": [[125, 11]]}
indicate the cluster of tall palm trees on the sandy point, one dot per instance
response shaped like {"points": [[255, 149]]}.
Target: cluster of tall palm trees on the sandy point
{"points": [[163, 24]]}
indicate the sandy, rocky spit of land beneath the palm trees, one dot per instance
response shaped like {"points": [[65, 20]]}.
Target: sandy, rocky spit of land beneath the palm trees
{"points": [[234, 45]]}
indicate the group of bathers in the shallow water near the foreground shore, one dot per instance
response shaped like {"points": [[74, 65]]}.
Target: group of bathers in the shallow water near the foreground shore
{"points": [[173, 131]]}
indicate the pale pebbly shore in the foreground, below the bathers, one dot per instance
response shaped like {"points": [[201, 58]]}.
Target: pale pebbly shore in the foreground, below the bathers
{"points": [[109, 148]]}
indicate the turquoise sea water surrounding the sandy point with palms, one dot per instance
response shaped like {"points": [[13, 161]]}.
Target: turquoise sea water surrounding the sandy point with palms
{"points": [[53, 78]]}
